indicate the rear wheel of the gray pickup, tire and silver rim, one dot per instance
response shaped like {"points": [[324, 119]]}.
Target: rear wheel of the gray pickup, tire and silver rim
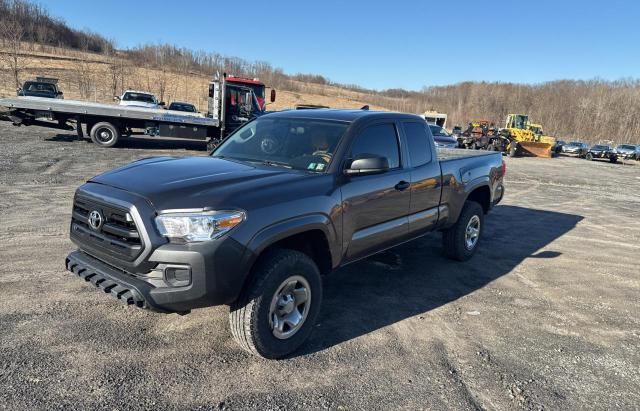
{"points": [[455, 241]]}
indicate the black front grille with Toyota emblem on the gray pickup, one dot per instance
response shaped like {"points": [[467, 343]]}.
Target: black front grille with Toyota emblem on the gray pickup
{"points": [[118, 235]]}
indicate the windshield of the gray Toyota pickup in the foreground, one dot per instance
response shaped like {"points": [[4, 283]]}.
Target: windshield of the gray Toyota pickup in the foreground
{"points": [[301, 144]]}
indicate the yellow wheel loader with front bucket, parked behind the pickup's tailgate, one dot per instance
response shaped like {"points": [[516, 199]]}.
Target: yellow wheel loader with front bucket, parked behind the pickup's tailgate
{"points": [[522, 138]]}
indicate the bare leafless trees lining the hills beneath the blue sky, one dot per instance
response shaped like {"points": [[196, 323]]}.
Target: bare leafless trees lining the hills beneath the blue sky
{"points": [[592, 110]]}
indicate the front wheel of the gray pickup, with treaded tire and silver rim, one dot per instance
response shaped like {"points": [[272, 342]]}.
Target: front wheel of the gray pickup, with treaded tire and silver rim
{"points": [[252, 316]]}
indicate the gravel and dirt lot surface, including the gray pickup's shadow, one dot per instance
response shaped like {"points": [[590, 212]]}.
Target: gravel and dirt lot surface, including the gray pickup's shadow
{"points": [[545, 316]]}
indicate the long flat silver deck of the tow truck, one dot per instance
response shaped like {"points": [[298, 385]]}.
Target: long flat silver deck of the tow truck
{"points": [[78, 107]]}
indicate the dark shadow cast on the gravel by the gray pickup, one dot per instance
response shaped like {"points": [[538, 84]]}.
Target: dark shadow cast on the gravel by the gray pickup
{"points": [[415, 278]]}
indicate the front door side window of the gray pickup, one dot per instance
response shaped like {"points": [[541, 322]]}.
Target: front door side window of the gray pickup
{"points": [[381, 140]]}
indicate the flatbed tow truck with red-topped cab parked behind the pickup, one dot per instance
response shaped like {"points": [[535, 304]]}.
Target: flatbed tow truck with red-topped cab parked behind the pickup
{"points": [[232, 102]]}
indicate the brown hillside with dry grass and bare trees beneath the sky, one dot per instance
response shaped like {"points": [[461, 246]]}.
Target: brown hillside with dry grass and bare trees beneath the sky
{"points": [[34, 43]]}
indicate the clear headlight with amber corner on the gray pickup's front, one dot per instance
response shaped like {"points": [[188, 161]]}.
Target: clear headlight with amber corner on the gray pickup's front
{"points": [[200, 226]]}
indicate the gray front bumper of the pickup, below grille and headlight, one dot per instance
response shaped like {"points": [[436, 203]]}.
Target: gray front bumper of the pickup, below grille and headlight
{"points": [[216, 274]]}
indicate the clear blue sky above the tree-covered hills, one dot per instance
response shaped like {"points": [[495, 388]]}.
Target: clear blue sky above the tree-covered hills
{"points": [[390, 44]]}
